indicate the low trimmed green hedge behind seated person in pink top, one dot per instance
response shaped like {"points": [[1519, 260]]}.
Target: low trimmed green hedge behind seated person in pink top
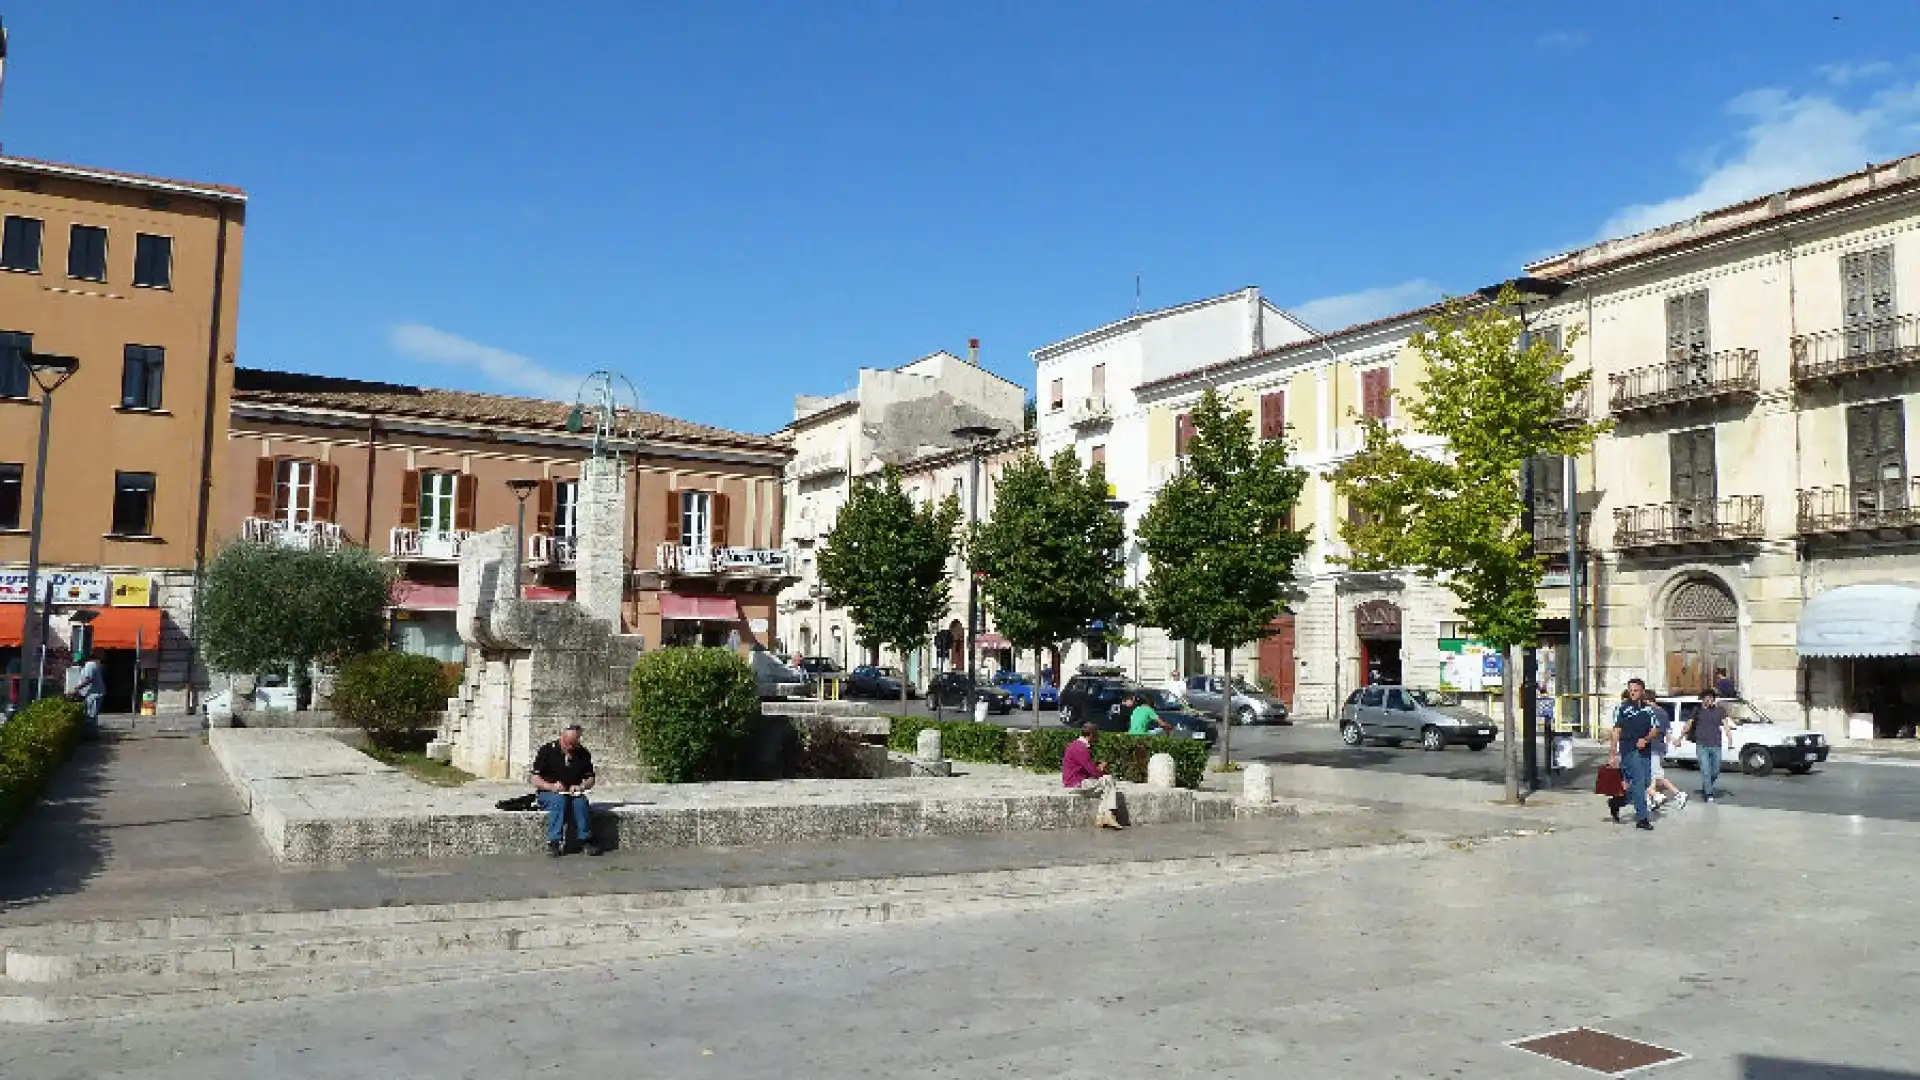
{"points": [[1042, 750]]}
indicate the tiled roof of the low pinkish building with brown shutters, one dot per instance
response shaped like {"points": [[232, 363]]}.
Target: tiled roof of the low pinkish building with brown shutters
{"points": [[393, 401]]}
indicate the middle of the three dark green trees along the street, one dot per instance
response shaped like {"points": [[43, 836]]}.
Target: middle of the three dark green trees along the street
{"points": [[1051, 556]]}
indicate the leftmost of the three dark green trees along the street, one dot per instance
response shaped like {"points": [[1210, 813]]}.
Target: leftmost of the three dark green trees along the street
{"points": [[888, 562]]}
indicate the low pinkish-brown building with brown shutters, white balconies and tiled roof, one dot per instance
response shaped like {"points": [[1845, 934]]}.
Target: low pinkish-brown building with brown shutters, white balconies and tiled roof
{"points": [[412, 472]]}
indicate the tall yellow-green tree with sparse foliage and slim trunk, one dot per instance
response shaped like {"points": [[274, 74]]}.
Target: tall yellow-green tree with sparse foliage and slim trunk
{"points": [[1456, 518]]}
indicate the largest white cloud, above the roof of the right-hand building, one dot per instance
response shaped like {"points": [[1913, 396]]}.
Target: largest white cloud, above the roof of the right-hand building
{"points": [[1788, 141]]}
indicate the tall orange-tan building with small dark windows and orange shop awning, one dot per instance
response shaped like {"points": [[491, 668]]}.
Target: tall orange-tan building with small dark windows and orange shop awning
{"points": [[139, 282]]}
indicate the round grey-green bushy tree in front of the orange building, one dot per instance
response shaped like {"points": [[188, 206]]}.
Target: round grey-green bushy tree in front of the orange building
{"points": [[279, 610]]}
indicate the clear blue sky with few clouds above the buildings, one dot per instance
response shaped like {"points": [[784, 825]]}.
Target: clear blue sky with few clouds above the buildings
{"points": [[736, 203]]}
